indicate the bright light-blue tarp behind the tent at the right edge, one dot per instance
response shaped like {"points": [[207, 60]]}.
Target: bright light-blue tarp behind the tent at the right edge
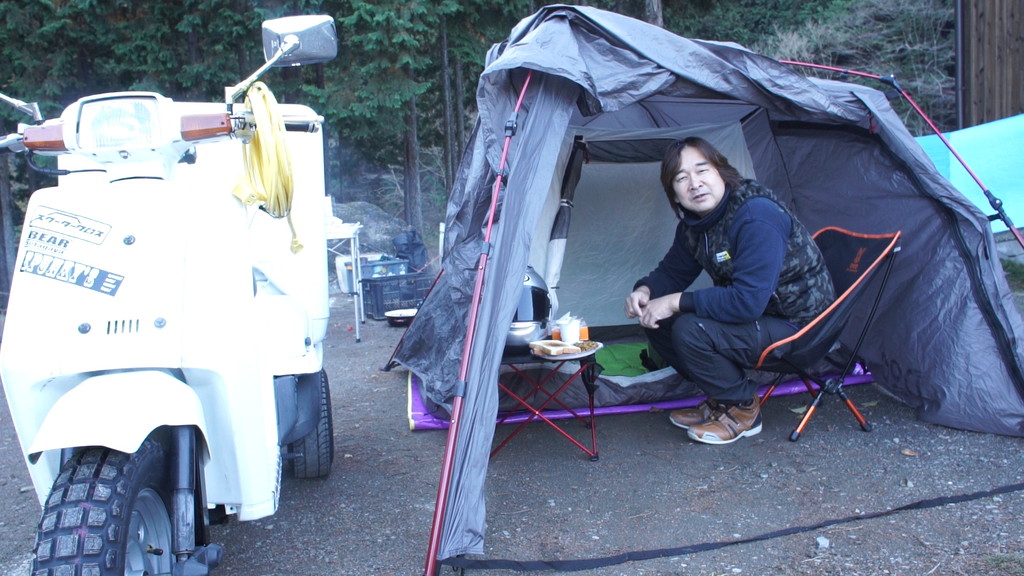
{"points": [[995, 152]]}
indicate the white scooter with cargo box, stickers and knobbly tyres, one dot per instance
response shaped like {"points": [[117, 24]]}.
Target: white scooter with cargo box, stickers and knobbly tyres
{"points": [[162, 354]]}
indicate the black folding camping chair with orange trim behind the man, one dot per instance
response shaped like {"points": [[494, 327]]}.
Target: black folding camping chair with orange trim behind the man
{"points": [[854, 261]]}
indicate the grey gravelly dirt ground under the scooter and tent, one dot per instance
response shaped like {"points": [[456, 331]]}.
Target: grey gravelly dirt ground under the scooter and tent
{"points": [[653, 489]]}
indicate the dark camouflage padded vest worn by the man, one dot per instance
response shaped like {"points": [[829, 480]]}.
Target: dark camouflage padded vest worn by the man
{"points": [[804, 286]]}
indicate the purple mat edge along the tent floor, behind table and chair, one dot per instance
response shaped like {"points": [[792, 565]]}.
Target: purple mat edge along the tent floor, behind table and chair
{"points": [[421, 420]]}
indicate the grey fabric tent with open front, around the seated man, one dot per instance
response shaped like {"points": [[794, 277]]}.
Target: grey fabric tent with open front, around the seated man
{"points": [[948, 338]]}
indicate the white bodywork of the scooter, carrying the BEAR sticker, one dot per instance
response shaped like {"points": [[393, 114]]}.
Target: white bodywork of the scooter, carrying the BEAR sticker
{"points": [[170, 277]]}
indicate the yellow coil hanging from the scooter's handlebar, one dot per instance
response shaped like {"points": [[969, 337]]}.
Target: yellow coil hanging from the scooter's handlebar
{"points": [[268, 164]]}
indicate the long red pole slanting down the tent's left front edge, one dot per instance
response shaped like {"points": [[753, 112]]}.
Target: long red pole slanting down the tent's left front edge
{"points": [[444, 485]]}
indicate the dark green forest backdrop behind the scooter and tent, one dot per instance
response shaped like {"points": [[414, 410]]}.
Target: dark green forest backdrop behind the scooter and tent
{"points": [[419, 58]]}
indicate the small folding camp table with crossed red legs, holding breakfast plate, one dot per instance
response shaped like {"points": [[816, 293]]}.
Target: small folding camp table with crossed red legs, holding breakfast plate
{"points": [[550, 366]]}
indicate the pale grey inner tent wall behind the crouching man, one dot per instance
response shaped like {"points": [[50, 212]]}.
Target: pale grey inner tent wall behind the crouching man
{"points": [[621, 222]]}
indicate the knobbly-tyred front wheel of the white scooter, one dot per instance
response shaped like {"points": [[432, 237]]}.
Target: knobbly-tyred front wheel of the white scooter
{"points": [[107, 515]]}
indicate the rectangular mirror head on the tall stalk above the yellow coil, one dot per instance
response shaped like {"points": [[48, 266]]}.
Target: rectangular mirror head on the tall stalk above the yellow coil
{"points": [[317, 37]]}
